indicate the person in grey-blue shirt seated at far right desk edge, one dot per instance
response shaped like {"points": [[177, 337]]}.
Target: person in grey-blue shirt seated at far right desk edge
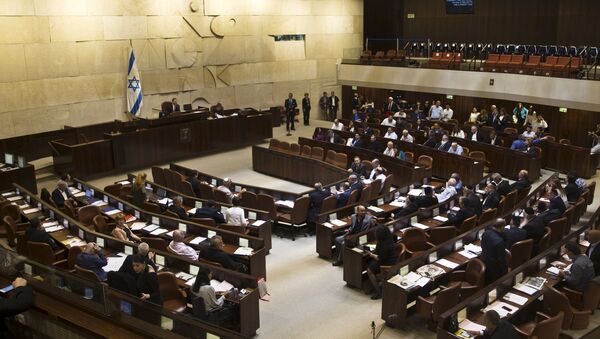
{"points": [[581, 271]]}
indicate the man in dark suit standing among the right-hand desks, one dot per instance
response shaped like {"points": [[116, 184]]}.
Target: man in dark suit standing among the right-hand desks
{"points": [[493, 251]]}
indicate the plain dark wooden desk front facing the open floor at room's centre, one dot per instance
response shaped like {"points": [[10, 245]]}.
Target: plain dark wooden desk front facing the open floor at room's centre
{"points": [[302, 170]]}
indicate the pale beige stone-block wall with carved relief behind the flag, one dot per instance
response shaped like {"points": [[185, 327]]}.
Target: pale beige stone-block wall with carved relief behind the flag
{"points": [[64, 62]]}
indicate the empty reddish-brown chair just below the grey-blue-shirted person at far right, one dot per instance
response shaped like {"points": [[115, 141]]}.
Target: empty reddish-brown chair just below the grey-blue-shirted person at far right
{"points": [[556, 302]]}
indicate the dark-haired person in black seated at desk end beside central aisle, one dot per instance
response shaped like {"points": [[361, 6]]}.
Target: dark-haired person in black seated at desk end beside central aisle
{"points": [[383, 255]]}
